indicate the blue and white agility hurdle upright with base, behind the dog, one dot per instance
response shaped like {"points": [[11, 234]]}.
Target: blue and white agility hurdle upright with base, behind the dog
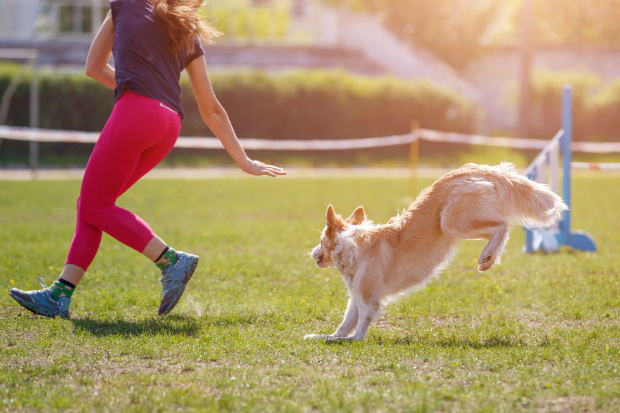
{"points": [[550, 239]]}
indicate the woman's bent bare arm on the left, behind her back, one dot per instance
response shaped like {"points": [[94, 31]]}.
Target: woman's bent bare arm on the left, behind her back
{"points": [[99, 54]]}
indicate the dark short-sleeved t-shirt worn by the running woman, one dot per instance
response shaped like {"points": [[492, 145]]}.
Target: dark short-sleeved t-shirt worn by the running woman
{"points": [[142, 60]]}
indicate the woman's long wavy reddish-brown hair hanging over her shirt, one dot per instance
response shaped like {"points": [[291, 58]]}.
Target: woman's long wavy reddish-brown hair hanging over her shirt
{"points": [[180, 21]]}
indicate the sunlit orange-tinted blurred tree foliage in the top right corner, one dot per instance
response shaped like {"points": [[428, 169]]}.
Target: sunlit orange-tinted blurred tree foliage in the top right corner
{"points": [[459, 31]]}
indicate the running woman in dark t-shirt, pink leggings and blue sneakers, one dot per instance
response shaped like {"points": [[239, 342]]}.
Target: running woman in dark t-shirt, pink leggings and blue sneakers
{"points": [[152, 42]]}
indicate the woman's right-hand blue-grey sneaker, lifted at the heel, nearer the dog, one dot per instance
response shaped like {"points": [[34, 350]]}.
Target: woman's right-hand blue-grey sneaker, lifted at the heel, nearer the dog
{"points": [[174, 279]]}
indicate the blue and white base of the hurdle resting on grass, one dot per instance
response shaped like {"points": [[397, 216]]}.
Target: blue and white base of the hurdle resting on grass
{"points": [[549, 240]]}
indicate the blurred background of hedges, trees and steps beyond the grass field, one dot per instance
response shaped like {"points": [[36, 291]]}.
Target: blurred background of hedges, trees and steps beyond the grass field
{"points": [[342, 69]]}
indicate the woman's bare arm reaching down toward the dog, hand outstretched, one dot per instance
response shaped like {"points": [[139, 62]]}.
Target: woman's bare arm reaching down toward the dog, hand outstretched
{"points": [[214, 115]]}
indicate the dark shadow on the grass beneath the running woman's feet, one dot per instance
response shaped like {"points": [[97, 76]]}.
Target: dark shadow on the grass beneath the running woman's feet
{"points": [[171, 325]]}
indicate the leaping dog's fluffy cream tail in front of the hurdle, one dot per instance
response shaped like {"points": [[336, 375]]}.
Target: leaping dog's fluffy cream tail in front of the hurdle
{"points": [[528, 202]]}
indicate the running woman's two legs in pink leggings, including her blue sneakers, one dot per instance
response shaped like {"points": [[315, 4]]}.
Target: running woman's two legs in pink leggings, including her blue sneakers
{"points": [[137, 137]]}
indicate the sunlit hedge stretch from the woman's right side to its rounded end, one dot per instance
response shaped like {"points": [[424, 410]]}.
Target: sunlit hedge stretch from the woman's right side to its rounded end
{"points": [[330, 105]]}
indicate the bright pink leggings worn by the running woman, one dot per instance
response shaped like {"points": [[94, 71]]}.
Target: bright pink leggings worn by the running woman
{"points": [[139, 134]]}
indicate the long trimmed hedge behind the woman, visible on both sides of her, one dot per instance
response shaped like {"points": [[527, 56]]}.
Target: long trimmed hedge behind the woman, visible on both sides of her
{"points": [[299, 105]]}
